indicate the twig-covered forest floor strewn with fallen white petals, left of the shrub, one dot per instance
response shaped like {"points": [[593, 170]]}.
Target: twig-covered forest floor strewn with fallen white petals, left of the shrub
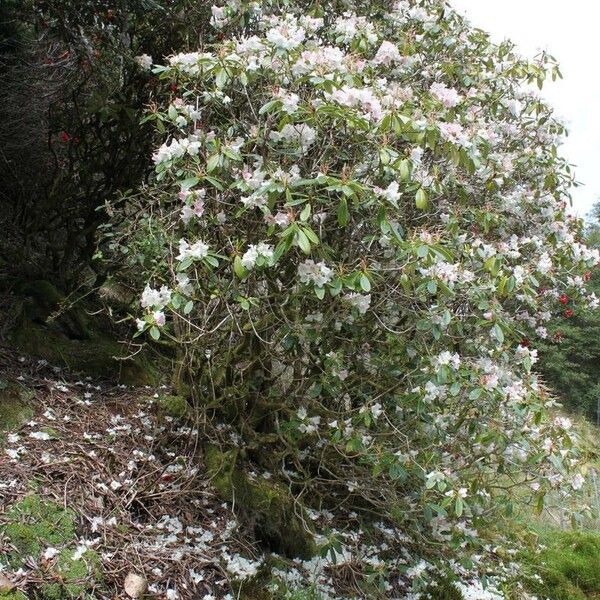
{"points": [[98, 482]]}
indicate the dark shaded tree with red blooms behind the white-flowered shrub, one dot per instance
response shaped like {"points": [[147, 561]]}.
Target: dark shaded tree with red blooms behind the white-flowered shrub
{"points": [[71, 99]]}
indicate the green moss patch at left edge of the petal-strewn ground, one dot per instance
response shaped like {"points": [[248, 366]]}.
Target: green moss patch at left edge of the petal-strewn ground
{"points": [[32, 525]]}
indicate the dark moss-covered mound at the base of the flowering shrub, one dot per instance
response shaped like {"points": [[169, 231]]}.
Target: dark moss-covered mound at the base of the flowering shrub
{"points": [[266, 505]]}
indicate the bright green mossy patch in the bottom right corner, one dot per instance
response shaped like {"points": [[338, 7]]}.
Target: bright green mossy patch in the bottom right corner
{"points": [[568, 566]]}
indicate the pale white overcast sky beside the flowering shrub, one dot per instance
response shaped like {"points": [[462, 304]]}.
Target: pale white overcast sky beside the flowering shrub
{"points": [[568, 30]]}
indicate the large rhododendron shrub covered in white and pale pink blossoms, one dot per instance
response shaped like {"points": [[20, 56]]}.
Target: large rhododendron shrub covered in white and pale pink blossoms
{"points": [[360, 229]]}
